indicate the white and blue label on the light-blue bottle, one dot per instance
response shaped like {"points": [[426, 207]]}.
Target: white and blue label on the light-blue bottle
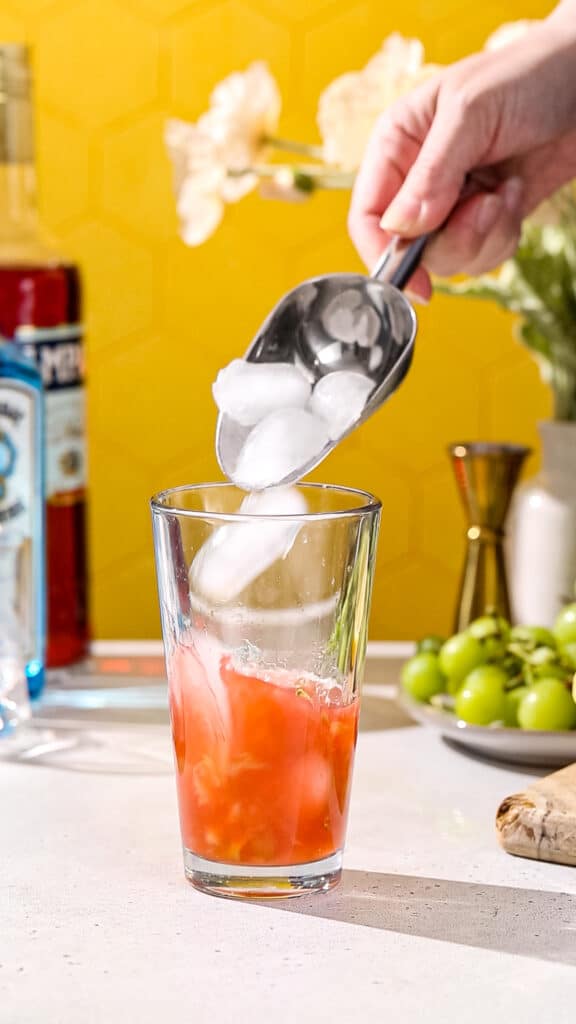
{"points": [[19, 583]]}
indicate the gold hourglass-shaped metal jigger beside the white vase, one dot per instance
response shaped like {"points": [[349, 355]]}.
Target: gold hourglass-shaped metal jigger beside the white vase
{"points": [[486, 476]]}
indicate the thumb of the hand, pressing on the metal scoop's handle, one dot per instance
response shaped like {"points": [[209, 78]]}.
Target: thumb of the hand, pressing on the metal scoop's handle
{"points": [[435, 182]]}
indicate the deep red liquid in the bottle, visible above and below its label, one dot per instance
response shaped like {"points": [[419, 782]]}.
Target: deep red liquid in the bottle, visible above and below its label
{"points": [[49, 297]]}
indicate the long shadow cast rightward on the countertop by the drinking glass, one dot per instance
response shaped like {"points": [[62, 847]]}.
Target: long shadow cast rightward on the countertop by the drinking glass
{"points": [[525, 922]]}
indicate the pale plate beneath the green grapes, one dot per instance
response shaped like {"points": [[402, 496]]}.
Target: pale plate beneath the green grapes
{"points": [[521, 747]]}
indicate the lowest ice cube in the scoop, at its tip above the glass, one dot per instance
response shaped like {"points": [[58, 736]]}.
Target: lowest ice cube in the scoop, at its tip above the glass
{"points": [[280, 445]]}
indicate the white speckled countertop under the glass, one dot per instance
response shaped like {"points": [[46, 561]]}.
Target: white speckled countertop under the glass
{"points": [[432, 922]]}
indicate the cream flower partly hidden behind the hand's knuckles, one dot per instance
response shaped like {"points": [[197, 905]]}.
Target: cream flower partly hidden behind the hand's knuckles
{"points": [[351, 105]]}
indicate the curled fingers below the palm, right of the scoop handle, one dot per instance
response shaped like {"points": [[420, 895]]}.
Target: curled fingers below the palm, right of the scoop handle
{"points": [[481, 234]]}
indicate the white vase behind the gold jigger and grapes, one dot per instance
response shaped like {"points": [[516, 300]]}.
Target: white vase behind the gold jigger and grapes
{"points": [[543, 532]]}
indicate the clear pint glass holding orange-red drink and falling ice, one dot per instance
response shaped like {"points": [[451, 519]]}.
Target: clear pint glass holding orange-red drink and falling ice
{"points": [[265, 622]]}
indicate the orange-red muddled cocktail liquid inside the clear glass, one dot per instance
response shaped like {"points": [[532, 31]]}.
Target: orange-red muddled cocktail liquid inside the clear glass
{"points": [[264, 761]]}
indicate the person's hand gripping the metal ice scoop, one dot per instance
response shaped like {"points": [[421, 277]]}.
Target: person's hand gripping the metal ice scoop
{"points": [[507, 118]]}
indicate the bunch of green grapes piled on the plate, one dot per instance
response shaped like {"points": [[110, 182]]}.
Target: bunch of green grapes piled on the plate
{"points": [[522, 676]]}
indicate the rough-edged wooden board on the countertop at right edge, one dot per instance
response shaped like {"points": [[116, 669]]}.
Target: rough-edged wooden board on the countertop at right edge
{"points": [[541, 823]]}
